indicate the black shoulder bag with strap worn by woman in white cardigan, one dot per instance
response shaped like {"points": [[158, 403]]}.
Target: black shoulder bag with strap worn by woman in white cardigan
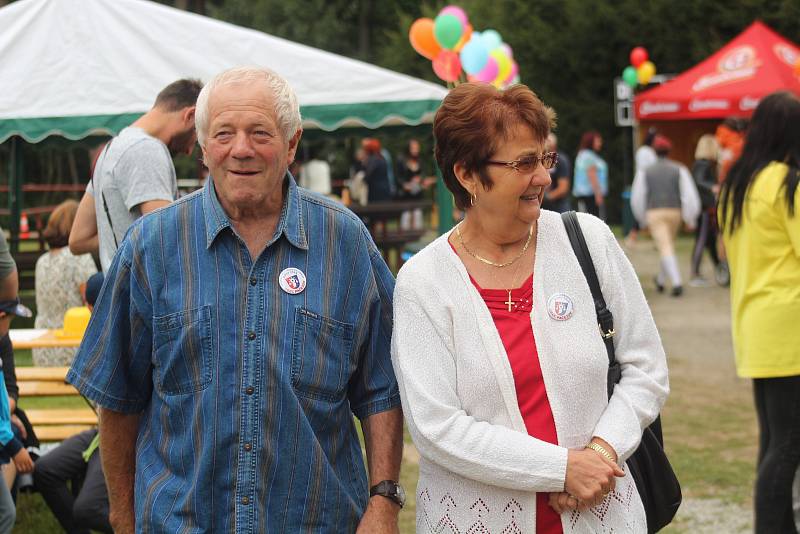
{"points": [[655, 480]]}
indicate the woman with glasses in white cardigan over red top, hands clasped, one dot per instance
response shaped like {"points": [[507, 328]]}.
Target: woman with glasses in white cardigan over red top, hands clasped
{"points": [[496, 348]]}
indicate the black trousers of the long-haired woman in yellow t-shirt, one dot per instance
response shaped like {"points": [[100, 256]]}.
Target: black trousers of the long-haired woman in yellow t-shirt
{"points": [[778, 408]]}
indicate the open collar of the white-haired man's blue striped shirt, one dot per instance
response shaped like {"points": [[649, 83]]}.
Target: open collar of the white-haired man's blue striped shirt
{"points": [[290, 224]]}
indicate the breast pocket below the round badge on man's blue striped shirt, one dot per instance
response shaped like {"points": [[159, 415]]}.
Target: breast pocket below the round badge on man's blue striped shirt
{"points": [[320, 356]]}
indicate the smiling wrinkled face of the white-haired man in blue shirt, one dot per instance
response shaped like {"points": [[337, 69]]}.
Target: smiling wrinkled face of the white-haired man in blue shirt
{"points": [[245, 150]]}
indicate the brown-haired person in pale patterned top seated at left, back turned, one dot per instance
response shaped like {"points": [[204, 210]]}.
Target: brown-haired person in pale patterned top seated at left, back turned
{"points": [[60, 275]]}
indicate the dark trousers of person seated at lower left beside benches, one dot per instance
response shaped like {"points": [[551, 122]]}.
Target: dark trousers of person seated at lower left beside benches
{"points": [[76, 511]]}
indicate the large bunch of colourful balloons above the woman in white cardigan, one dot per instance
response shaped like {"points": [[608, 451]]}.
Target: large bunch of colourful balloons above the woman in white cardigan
{"points": [[452, 45]]}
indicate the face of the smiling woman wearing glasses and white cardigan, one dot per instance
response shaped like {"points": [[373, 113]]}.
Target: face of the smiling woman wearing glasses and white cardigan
{"points": [[515, 196]]}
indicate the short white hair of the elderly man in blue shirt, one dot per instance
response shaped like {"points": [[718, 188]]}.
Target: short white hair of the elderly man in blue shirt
{"points": [[287, 110]]}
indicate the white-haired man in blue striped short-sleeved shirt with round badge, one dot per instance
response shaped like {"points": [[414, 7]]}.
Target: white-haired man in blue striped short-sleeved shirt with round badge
{"points": [[238, 332]]}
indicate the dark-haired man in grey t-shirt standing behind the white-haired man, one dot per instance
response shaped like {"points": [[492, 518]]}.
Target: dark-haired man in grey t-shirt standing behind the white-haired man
{"points": [[134, 173]]}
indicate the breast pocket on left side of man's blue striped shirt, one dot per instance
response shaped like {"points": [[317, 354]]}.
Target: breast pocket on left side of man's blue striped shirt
{"points": [[182, 347]]}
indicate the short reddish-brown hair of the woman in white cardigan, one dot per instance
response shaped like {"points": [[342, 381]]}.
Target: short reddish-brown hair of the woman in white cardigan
{"points": [[474, 119]]}
